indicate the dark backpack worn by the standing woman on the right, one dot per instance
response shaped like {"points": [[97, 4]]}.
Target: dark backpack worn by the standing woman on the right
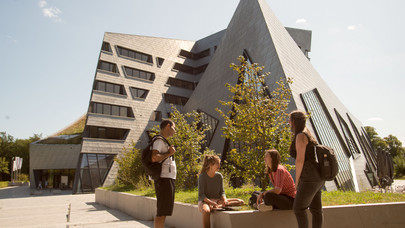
{"points": [[328, 165]]}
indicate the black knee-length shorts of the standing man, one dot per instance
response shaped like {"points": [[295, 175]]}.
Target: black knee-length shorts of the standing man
{"points": [[164, 188]]}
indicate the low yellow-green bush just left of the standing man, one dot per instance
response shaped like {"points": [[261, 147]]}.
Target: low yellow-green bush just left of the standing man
{"points": [[130, 170]]}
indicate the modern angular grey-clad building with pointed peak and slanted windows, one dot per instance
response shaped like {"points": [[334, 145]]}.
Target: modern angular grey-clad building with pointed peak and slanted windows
{"points": [[138, 78]]}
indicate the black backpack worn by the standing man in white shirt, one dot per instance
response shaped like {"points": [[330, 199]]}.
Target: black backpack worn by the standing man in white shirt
{"points": [[153, 169]]}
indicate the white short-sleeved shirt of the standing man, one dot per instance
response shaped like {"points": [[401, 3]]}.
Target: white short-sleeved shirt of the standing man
{"points": [[169, 165]]}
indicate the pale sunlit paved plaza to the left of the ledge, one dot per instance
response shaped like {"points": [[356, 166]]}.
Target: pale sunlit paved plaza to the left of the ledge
{"points": [[18, 208]]}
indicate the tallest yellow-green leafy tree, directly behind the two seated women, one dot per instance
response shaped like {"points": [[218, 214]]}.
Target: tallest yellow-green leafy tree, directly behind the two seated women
{"points": [[256, 121]]}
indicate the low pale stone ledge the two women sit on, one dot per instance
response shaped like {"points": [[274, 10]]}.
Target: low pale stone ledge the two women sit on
{"points": [[390, 215]]}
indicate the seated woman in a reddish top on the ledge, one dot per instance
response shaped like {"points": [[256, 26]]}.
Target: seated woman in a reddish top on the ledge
{"points": [[283, 194]]}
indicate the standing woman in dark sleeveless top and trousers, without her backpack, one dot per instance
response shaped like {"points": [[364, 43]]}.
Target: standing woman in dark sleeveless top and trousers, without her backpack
{"points": [[307, 177]]}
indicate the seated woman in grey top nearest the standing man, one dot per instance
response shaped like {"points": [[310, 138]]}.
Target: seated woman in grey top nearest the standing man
{"points": [[211, 193]]}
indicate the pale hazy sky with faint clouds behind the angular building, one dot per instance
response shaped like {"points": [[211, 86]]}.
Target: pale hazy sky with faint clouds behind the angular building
{"points": [[49, 51]]}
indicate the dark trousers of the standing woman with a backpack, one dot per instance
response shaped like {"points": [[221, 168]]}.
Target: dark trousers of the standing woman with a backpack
{"points": [[309, 195]]}
